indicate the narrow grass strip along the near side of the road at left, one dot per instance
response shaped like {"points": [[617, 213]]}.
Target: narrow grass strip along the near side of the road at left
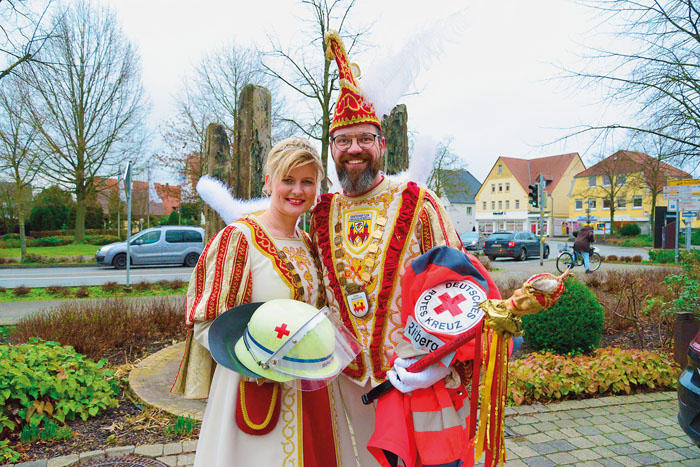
{"points": [[94, 291]]}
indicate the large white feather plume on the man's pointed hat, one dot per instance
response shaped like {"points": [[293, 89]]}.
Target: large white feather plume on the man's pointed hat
{"points": [[387, 79]]}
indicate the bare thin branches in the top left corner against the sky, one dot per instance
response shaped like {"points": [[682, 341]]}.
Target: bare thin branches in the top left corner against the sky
{"points": [[21, 36]]}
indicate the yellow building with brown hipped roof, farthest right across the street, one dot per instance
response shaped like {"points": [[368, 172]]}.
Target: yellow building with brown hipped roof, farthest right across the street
{"points": [[625, 185]]}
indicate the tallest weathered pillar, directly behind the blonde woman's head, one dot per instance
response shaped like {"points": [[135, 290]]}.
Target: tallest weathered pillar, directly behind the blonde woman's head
{"points": [[252, 141]]}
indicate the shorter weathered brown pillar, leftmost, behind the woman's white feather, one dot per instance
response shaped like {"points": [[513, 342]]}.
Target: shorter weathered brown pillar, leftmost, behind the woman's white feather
{"points": [[217, 155]]}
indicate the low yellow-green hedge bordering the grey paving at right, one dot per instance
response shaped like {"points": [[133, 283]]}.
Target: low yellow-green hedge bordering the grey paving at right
{"points": [[548, 377]]}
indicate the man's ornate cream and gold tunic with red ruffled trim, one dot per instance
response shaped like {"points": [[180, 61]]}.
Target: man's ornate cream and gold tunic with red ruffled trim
{"points": [[414, 221]]}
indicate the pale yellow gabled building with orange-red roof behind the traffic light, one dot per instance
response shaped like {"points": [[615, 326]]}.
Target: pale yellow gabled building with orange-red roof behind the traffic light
{"points": [[502, 201]]}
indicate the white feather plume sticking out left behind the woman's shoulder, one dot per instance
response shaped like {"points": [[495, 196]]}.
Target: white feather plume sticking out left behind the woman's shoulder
{"points": [[219, 198]]}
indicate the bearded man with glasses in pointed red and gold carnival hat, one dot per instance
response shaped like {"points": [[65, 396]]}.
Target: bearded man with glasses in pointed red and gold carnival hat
{"points": [[366, 237]]}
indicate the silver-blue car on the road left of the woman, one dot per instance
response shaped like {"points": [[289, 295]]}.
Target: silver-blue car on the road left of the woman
{"points": [[167, 244]]}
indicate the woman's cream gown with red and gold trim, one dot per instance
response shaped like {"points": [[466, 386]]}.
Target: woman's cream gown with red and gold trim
{"points": [[241, 265]]}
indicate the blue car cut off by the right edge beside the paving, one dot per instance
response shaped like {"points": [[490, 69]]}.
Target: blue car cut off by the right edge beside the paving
{"points": [[689, 393]]}
